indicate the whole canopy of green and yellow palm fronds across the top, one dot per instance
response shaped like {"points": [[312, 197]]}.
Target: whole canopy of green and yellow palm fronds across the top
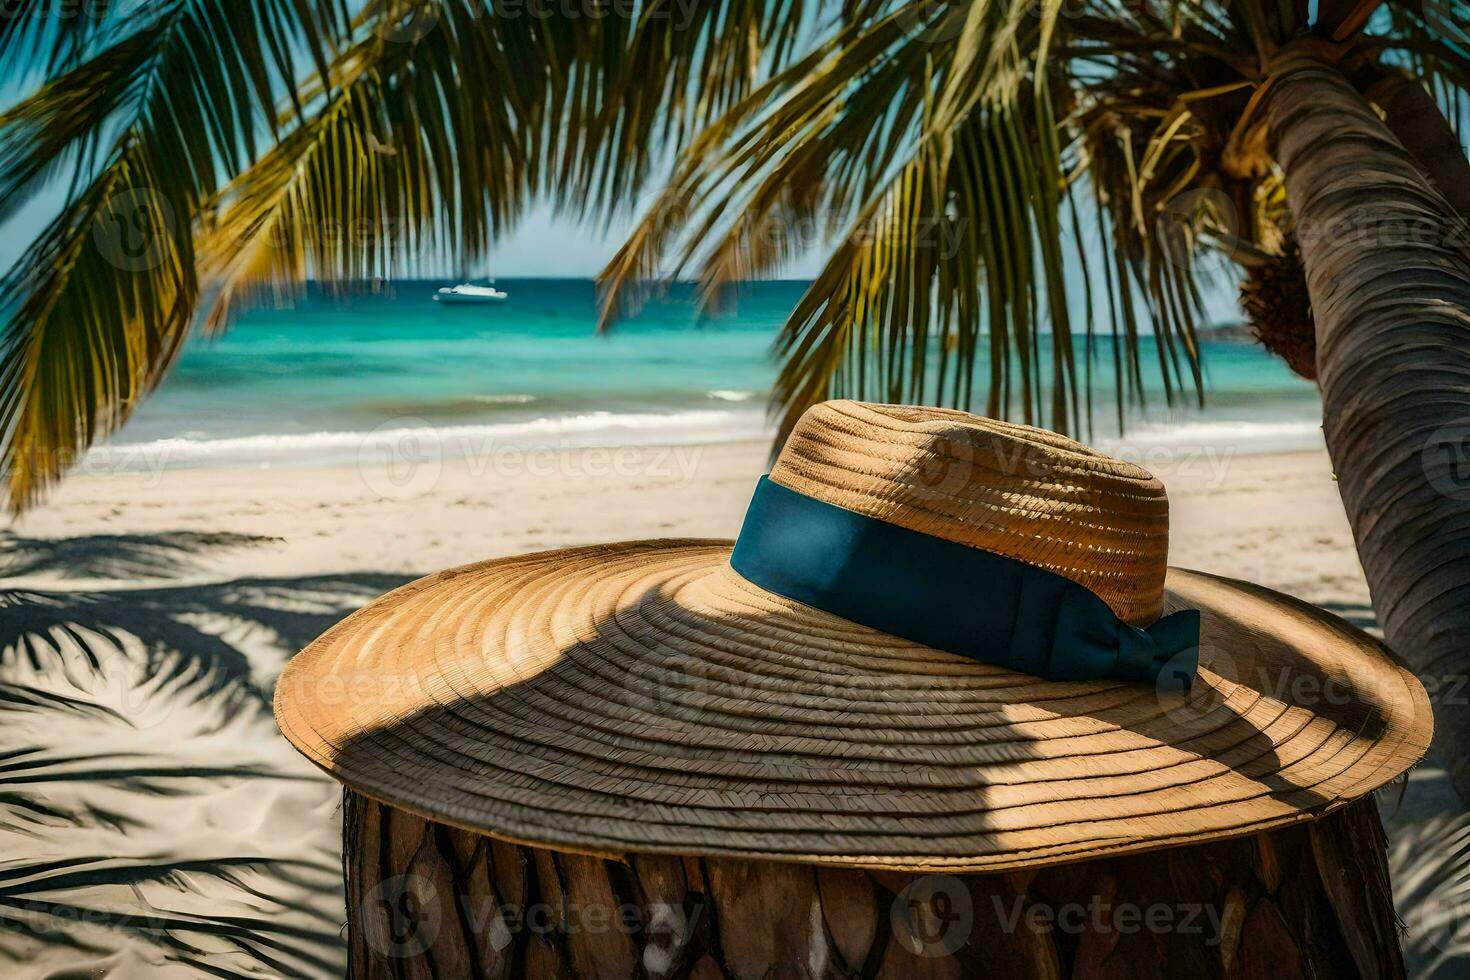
{"points": [[1025, 140]]}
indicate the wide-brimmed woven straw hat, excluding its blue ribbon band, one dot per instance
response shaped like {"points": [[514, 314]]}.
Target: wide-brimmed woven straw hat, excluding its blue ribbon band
{"points": [[648, 697]]}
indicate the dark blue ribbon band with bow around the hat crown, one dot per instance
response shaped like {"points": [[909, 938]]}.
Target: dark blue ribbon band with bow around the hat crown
{"points": [[952, 597]]}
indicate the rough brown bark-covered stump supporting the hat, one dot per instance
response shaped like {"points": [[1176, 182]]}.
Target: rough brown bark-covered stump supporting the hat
{"points": [[426, 900]]}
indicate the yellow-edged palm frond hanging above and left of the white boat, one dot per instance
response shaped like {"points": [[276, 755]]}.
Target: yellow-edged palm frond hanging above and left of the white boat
{"points": [[412, 149]]}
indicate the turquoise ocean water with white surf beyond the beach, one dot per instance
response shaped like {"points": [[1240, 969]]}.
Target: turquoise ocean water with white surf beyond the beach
{"points": [[304, 384]]}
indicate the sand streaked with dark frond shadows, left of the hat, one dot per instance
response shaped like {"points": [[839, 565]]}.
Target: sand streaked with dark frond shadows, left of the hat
{"points": [[152, 819]]}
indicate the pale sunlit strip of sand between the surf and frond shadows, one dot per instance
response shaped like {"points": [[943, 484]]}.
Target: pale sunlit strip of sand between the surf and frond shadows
{"points": [[1274, 519]]}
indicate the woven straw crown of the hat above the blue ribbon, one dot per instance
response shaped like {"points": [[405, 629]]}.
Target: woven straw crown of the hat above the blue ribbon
{"points": [[1008, 489]]}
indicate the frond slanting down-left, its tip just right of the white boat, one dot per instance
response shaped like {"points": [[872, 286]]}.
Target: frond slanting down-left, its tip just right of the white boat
{"points": [[759, 183]]}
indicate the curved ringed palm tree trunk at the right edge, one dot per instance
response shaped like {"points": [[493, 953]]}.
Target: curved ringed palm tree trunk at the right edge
{"points": [[1388, 271]]}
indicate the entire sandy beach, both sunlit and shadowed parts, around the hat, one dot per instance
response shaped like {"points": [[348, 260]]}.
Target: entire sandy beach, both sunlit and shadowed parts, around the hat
{"points": [[154, 822]]}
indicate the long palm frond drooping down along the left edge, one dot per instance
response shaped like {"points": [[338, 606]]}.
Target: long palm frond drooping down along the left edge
{"points": [[101, 303]]}
